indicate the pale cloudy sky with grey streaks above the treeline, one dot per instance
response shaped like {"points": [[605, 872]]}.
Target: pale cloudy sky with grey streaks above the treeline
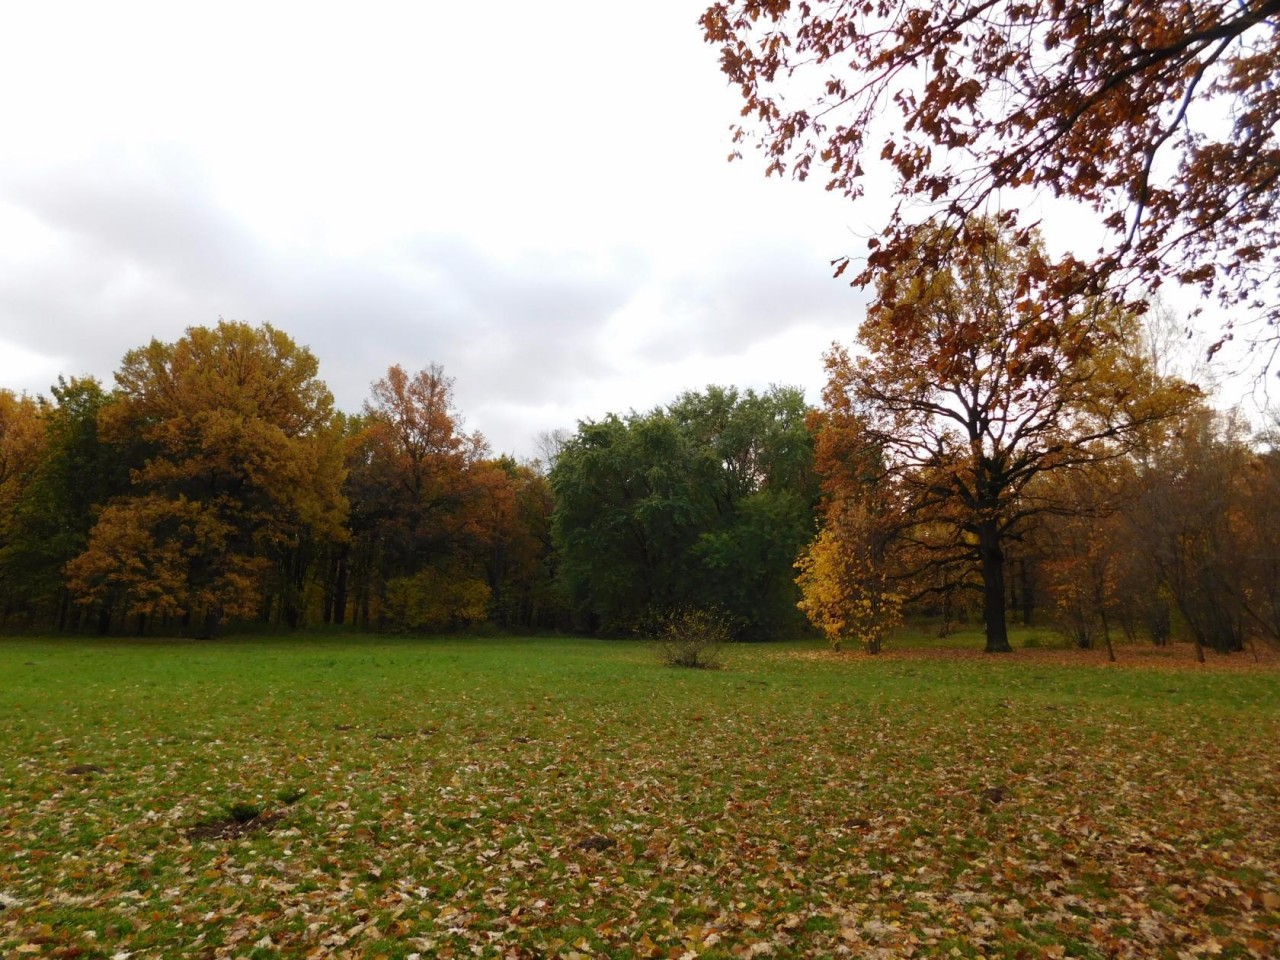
{"points": [[533, 195]]}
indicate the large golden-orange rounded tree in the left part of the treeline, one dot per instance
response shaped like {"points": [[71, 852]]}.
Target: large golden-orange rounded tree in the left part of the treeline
{"points": [[236, 468]]}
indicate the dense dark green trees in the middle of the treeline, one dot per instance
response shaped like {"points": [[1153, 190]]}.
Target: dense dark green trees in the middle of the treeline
{"points": [[703, 504]]}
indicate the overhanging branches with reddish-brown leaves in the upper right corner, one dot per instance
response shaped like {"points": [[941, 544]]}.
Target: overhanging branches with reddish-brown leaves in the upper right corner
{"points": [[1162, 117]]}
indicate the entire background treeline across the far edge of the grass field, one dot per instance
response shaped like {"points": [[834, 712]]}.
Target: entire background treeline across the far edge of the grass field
{"points": [[217, 483]]}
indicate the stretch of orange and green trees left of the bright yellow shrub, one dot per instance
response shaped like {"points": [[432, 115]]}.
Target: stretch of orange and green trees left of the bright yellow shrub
{"points": [[217, 483]]}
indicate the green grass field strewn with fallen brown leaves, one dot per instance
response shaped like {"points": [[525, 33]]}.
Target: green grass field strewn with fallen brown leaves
{"points": [[371, 798]]}
